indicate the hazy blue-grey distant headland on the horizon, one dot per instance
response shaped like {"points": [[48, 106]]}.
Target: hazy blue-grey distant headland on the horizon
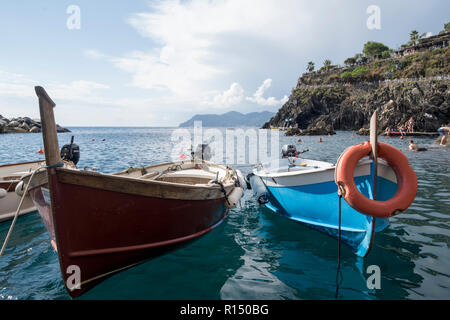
{"points": [[230, 119]]}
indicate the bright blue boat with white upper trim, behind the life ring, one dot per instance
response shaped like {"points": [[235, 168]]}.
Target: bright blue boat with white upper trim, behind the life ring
{"points": [[305, 191]]}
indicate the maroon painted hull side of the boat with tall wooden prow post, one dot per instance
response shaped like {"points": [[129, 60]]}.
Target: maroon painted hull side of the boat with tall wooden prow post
{"points": [[103, 232]]}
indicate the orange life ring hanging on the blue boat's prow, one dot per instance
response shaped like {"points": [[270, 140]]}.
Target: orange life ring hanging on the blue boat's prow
{"points": [[406, 180]]}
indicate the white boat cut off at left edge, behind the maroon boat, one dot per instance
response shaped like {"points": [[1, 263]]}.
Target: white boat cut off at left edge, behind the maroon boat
{"points": [[10, 175]]}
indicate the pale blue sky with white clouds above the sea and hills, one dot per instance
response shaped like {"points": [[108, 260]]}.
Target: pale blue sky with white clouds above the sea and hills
{"points": [[158, 63]]}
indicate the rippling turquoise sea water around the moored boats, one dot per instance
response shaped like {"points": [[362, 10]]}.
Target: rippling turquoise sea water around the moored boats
{"points": [[254, 254]]}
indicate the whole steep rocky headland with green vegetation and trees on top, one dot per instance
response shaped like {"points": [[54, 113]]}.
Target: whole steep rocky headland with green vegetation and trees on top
{"points": [[412, 82]]}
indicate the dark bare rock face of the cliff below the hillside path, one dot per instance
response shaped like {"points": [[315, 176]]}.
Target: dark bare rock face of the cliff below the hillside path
{"points": [[322, 110]]}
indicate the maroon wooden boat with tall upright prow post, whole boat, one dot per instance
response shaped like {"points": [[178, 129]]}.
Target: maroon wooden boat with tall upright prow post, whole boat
{"points": [[101, 223]]}
